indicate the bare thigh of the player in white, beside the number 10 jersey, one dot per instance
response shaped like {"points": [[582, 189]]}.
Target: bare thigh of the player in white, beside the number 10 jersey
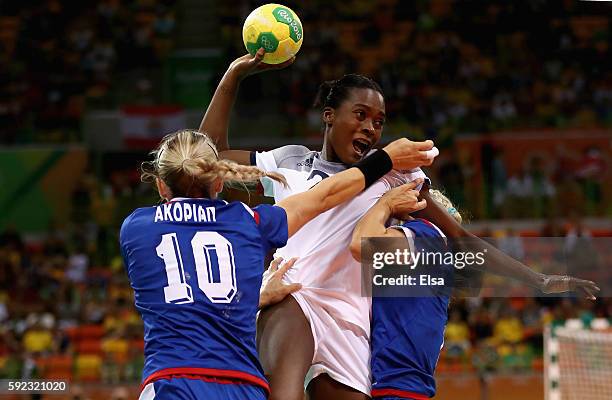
{"points": [[286, 348]]}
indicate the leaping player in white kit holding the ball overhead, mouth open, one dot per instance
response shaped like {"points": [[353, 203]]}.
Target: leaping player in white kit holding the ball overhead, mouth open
{"points": [[326, 324]]}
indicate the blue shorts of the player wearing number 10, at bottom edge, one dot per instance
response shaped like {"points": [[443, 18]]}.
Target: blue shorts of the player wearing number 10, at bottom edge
{"points": [[194, 389]]}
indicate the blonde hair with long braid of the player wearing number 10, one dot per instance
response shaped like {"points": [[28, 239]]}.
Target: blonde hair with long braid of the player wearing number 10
{"points": [[187, 161]]}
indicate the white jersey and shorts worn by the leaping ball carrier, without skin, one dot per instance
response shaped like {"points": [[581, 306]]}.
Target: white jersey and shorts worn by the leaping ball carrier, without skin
{"points": [[331, 297]]}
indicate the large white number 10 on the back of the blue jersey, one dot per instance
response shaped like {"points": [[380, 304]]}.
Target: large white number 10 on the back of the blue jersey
{"points": [[214, 264]]}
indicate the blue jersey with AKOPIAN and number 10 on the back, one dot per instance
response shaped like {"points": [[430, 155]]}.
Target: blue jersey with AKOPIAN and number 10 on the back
{"points": [[196, 268]]}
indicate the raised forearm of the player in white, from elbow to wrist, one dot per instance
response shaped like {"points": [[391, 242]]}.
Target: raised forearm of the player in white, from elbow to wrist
{"points": [[216, 120]]}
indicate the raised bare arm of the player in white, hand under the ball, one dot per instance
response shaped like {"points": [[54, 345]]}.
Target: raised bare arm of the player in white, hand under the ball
{"points": [[216, 120]]}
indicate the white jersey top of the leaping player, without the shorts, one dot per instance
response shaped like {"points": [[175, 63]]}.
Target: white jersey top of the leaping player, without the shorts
{"points": [[325, 266]]}
